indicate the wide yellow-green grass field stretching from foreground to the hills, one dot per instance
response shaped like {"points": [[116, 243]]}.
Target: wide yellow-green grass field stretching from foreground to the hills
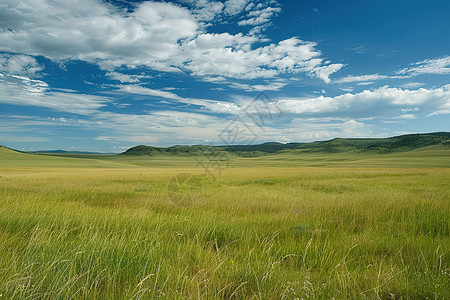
{"points": [[277, 227]]}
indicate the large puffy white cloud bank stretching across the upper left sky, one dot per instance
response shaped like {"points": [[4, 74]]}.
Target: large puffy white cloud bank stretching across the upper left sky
{"points": [[159, 36]]}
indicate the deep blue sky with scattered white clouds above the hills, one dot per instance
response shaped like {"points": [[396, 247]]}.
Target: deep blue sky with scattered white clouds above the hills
{"points": [[92, 75]]}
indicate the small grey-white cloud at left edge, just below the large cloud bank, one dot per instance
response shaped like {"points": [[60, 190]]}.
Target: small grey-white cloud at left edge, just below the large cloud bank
{"points": [[18, 64]]}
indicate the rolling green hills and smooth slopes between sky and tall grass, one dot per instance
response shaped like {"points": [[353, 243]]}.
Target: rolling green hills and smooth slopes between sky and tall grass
{"points": [[431, 150]]}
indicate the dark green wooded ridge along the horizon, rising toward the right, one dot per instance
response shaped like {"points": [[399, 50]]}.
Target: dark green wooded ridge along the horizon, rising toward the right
{"points": [[379, 145]]}
